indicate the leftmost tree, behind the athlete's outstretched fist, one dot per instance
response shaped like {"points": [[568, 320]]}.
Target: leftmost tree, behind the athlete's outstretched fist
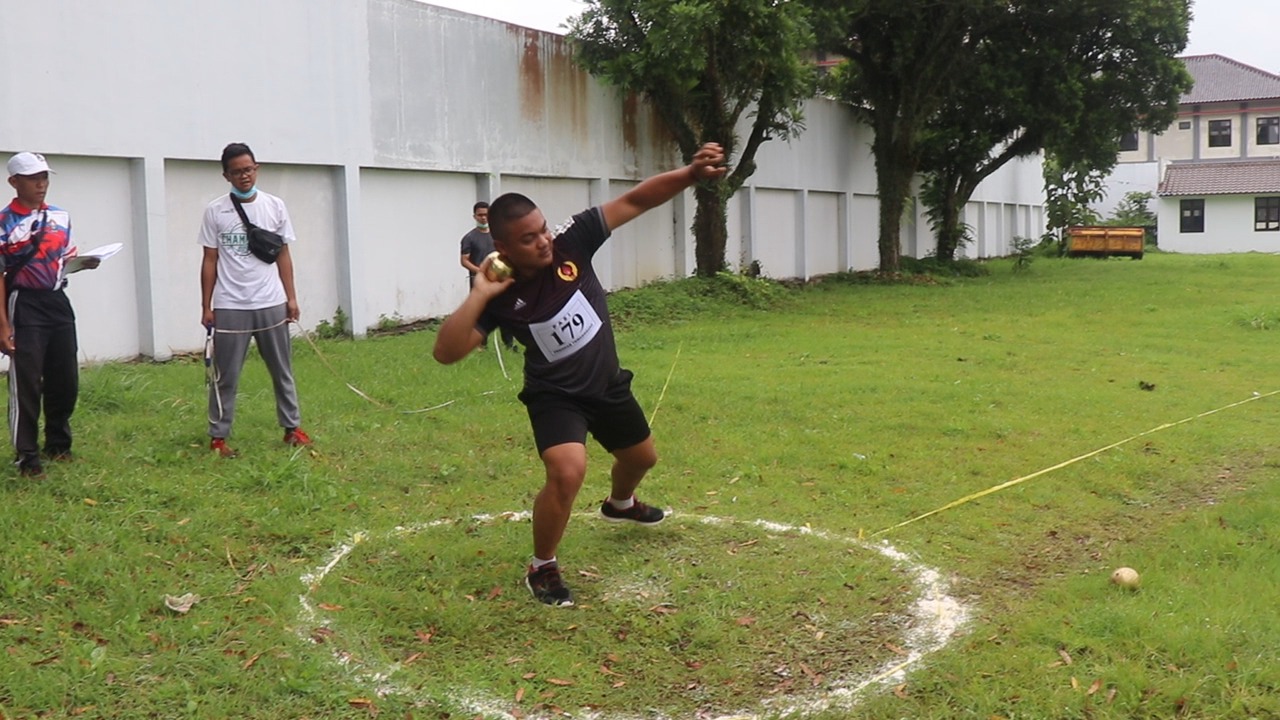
{"points": [[706, 66]]}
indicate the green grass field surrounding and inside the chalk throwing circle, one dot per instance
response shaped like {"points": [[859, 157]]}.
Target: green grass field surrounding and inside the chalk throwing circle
{"points": [[381, 573]]}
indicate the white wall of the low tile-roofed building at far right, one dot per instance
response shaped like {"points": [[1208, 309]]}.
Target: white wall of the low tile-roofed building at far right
{"points": [[1229, 227]]}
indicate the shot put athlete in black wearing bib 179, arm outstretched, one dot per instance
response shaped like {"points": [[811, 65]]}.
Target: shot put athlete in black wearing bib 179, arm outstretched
{"points": [[574, 385]]}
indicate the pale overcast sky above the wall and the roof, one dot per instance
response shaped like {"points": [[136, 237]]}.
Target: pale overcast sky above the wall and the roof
{"points": [[1242, 30]]}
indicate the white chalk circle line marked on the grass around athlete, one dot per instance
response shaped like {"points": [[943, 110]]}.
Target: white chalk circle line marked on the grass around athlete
{"points": [[934, 619]]}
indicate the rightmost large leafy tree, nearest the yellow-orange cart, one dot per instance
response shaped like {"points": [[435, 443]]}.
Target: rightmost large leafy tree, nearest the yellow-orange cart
{"points": [[1066, 76]]}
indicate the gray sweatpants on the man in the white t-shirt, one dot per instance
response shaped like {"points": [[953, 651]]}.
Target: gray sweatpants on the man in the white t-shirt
{"points": [[232, 332]]}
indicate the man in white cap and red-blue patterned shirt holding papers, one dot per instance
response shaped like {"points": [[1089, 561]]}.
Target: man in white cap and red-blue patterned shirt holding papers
{"points": [[38, 325]]}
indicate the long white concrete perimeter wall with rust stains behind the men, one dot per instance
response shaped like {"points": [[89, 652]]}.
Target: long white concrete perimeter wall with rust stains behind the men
{"points": [[381, 122]]}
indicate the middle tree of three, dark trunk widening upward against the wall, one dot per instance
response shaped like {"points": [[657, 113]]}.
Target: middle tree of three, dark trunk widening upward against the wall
{"points": [[904, 58]]}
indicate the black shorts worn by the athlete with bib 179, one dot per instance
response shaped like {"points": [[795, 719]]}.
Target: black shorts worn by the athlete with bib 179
{"points": [[615, 420]]}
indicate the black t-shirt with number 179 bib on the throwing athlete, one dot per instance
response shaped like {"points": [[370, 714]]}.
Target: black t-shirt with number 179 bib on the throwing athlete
{"points": [[561, 317]]}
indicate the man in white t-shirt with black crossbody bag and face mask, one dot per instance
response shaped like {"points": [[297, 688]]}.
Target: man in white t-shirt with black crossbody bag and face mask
{"points": [[245, 298]]}
